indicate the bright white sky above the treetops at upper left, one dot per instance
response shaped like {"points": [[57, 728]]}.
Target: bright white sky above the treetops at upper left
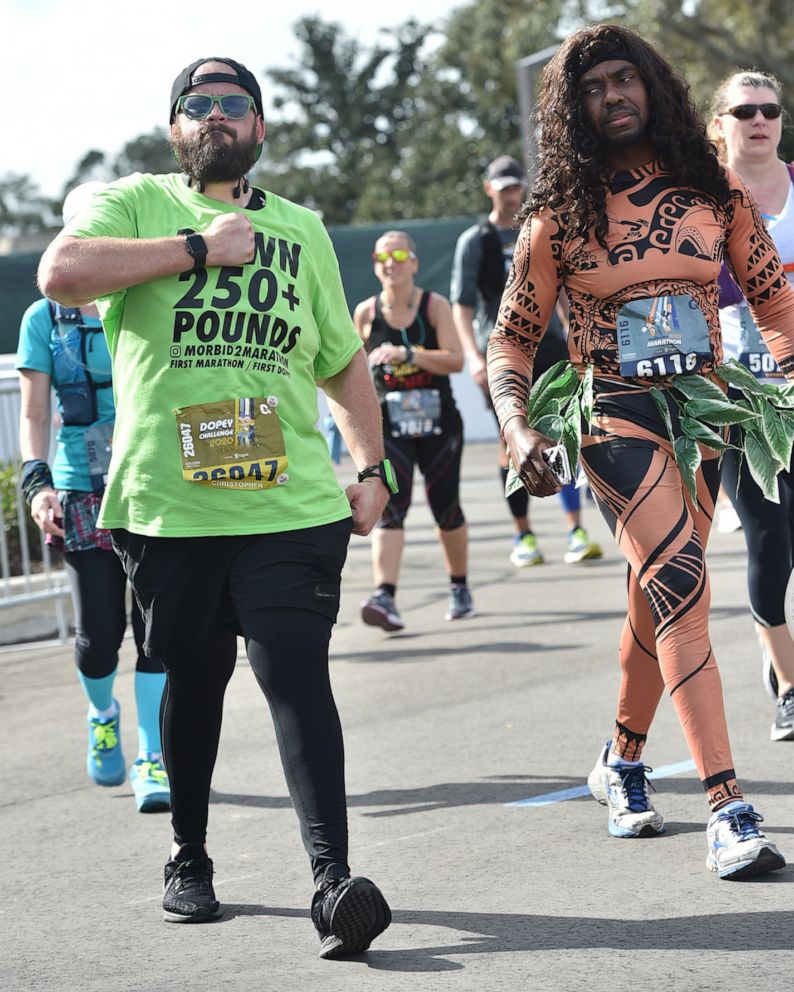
{"points": [[96, 73]]}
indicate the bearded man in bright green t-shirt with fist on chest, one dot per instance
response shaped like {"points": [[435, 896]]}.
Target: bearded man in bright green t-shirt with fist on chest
{"points": [[223, 308]]}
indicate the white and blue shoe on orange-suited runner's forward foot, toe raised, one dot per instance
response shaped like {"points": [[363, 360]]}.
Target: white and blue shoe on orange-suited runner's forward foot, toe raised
{"points": [[737, 847]]}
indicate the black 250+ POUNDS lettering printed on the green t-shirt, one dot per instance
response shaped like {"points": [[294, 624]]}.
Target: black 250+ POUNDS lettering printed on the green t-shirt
{"points": [[224, 319]]}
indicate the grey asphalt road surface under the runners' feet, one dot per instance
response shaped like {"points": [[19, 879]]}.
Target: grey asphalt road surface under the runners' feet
{"points": [[467, 746]]}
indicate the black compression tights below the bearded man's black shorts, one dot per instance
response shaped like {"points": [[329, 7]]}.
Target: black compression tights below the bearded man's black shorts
{"points": [[288, 652]]}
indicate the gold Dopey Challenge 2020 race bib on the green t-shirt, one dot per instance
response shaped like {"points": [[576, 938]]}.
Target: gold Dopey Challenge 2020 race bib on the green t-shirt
{"points": [[233, 444]]}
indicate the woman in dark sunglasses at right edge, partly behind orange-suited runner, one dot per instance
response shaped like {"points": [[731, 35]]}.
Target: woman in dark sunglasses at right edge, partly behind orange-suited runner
{"points": [[747, 126]]}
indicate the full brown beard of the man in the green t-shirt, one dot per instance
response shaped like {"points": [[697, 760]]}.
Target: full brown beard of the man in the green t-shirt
{"points": [[208, 157]]}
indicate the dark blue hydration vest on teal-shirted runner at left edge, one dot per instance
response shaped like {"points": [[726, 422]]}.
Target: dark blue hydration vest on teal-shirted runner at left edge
{"points": [[75, 389]]}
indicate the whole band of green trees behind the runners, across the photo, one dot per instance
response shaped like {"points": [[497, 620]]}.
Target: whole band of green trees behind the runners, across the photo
{"points": [[404, 128]]}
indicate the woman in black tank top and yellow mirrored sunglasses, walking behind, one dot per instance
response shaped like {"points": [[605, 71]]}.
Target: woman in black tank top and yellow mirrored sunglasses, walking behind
{"points": [[413, 347]]}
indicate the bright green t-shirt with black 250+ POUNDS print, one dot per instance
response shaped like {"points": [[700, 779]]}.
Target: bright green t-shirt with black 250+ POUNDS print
{"points": [[243, 346]]}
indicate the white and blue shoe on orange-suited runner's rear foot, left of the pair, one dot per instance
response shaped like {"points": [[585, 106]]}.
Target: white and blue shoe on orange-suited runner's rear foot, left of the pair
{"points": [[624, 789]]}
